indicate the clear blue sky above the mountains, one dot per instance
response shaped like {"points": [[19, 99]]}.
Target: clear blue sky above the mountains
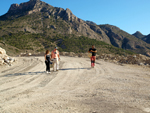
{"points": [[128, 15]]}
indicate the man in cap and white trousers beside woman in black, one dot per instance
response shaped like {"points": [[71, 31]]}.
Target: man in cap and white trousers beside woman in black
{"points": [[56, 58]]}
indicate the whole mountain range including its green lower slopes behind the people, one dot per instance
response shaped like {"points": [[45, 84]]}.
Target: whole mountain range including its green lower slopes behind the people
{"points": [[36, 25]]}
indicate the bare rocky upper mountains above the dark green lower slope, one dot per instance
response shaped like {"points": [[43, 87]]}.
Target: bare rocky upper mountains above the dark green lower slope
{"points": [[37, 17]]}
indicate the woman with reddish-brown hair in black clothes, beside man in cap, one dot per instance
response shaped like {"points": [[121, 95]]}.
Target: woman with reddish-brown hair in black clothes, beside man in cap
{"points": [[47, 61]]}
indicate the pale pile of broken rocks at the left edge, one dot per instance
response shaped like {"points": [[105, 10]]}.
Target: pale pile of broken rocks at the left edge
{"points": [[5, 59]]}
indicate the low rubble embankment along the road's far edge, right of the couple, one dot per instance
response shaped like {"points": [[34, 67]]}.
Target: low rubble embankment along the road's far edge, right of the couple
{"points": [[137, 59]]}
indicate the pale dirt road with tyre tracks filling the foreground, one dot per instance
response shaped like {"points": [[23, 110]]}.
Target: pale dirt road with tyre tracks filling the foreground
{"points": [[75, 88]]}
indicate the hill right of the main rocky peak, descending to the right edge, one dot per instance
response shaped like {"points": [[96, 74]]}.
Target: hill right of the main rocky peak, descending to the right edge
{"points": [[122, 39]]}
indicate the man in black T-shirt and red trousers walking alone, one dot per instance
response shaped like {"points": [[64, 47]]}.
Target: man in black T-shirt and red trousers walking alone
{"points": [[93, 57]]}
